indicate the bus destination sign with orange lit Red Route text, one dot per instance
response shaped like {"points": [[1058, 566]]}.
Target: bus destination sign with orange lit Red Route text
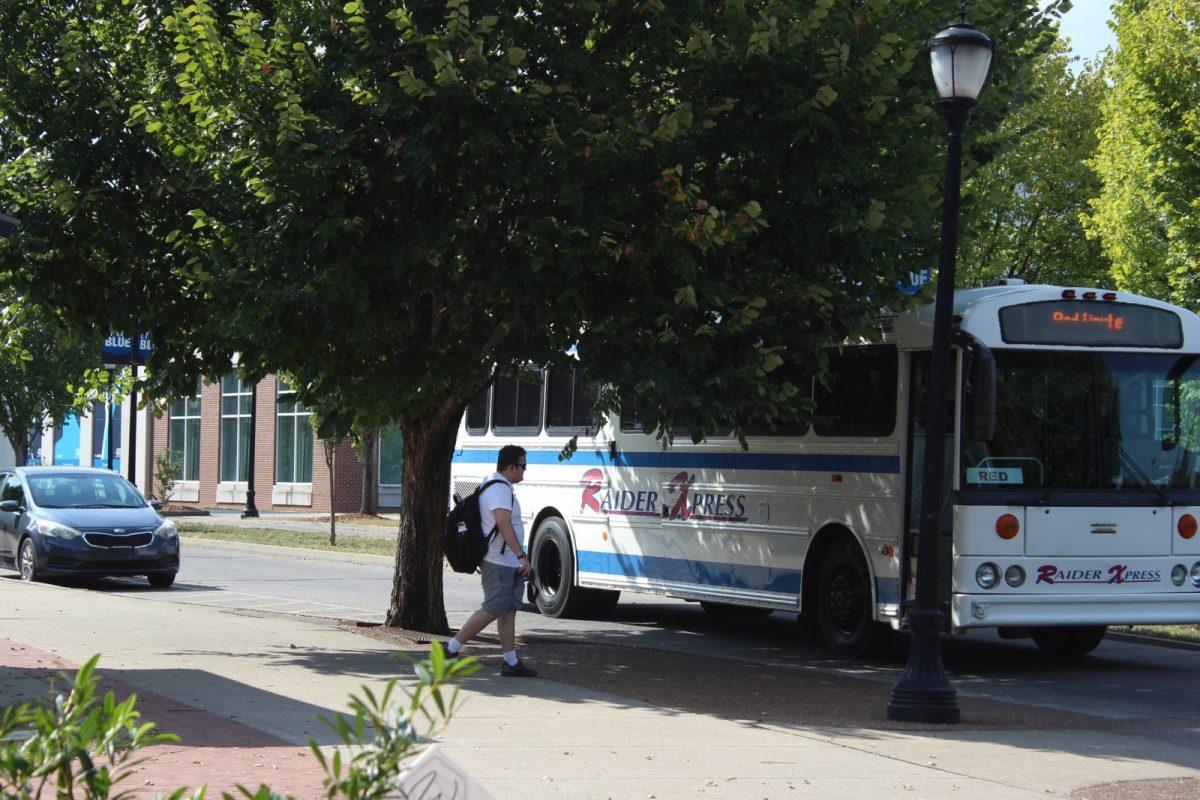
{"points": [[1087, 323]]}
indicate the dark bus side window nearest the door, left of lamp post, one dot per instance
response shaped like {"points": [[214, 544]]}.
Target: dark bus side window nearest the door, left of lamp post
{"points": [[860, 399]]}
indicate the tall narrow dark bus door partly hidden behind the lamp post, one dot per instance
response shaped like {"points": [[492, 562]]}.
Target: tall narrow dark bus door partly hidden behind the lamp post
{"points": [[919, 411]]}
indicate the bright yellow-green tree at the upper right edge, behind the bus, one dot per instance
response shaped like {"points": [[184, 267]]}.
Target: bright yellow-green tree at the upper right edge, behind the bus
{"points": [[1148, 215]]}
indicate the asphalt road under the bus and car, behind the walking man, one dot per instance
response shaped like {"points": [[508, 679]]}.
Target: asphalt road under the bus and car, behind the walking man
{"points": [[1120, 681]]}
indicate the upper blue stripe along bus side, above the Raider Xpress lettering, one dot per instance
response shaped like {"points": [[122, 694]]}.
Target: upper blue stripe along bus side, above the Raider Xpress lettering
{"points": [[669, 460]]}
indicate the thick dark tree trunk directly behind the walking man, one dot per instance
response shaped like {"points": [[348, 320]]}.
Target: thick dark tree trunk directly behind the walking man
{"points": [[417, 601]]}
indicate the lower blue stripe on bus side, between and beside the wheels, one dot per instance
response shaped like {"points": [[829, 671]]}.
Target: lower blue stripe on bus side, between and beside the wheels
{"points": [[712, 574]]}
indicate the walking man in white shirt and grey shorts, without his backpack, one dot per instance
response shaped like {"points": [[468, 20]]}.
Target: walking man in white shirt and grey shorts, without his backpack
{"points": [[505, 566]]}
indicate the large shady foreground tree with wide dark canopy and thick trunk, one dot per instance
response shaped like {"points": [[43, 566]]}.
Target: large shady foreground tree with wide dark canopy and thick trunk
{"points": [[397, 202]]}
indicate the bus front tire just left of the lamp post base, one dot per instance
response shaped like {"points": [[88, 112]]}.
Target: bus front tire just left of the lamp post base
{"points": [[844, 603]]}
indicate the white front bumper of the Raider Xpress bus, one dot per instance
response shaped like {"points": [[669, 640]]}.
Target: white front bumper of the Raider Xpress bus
{"points": [[1024, 610]]}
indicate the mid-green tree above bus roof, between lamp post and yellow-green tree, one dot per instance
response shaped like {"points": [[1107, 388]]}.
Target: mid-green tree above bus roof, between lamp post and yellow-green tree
{"points": [[1025, 207]]}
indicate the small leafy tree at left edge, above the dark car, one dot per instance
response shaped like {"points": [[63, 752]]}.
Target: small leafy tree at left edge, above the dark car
{"points": [[44, 365]]}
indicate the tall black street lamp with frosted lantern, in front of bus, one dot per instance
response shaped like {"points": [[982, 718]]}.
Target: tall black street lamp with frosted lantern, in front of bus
{"points": [[962, 58]]}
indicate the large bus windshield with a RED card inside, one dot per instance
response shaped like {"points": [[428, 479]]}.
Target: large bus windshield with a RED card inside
{"points": [[1094, 422]]}
